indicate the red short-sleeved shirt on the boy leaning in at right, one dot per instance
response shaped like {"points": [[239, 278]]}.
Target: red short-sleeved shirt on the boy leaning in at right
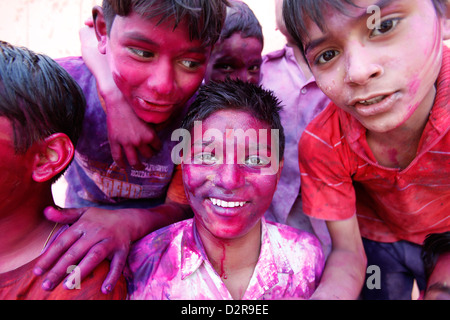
{"points": [[340, 176]]}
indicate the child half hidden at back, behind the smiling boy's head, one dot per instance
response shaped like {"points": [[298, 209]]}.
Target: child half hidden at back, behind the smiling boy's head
{"points": [[237, 53]]}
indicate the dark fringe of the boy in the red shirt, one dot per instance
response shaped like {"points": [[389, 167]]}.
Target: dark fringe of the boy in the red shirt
{"points": [[295, 14]]}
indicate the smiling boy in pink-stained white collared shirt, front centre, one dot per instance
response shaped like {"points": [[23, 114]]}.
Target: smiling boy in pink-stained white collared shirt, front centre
{"points": [[228, 251]]}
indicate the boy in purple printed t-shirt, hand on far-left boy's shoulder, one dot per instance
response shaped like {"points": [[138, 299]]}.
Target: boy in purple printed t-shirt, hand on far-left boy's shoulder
{"points": [[157, 52]]}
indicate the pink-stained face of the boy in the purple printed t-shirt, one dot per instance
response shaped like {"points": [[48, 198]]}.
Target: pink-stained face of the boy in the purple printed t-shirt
{"points": [[158, 70]]}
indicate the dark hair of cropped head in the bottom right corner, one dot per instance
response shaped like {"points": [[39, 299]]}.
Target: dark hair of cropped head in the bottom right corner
{"points": [[434, 245]]}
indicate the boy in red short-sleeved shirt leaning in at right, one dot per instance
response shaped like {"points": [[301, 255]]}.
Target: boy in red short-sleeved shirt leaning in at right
{"points": [[377, 156]]}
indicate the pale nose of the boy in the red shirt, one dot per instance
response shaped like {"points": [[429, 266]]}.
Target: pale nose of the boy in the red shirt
{"points": [[362, 65]]}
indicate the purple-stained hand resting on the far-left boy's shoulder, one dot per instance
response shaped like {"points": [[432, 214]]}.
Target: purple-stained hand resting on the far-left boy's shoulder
{"points": [[92, 239]]}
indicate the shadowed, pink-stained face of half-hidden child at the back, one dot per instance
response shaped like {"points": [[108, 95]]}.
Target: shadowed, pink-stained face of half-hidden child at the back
{"points": [[236, 58]]}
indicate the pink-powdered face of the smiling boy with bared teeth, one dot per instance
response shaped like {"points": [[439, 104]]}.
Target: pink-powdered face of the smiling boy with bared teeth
{"points": [[229, 195]]}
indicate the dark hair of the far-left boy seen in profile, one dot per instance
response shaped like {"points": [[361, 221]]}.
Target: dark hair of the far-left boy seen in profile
{"points": [[38, 96]]}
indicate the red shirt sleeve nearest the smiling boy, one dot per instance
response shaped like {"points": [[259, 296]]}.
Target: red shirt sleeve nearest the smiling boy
{"points": [[325, 161]]}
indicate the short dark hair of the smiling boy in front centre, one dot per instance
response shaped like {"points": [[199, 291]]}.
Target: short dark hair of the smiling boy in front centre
{"points": [[237, 95]]}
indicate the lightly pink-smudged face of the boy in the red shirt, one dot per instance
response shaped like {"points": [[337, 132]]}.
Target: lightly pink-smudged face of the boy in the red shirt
{"points": [[352, 63]]}
